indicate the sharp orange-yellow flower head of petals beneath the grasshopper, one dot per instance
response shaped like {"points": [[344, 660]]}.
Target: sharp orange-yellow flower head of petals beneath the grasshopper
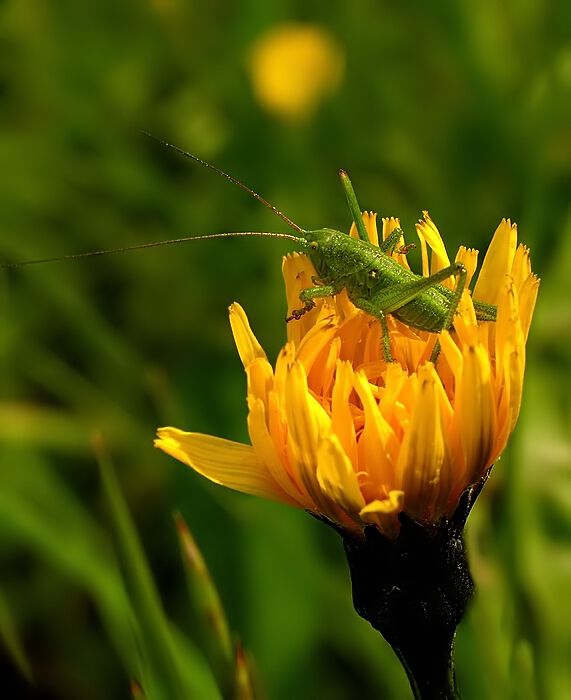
{"points": [[340, 432]]}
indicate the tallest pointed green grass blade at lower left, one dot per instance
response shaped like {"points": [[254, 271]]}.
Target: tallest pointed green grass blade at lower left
{"points": [[177, 673]]}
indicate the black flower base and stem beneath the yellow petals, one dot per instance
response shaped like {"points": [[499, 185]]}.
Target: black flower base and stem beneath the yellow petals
{"points": [[415, 590]]}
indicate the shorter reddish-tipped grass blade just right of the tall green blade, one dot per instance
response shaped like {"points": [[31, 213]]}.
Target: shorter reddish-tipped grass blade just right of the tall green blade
{"points": [[210, 615]]}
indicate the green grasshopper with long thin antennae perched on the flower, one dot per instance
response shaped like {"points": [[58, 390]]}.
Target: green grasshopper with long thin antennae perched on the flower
{"points": [[375, 282]]}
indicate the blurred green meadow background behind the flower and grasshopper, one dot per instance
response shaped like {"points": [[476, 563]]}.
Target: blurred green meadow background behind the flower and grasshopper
{"points": [[462, 108]]}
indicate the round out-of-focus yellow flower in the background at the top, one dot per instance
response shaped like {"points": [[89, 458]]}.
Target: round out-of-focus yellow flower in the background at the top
{"points": [[293, 67]]}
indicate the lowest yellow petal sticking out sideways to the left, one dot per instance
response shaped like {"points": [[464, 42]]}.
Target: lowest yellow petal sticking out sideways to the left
{"points": [[223, 461]]}
